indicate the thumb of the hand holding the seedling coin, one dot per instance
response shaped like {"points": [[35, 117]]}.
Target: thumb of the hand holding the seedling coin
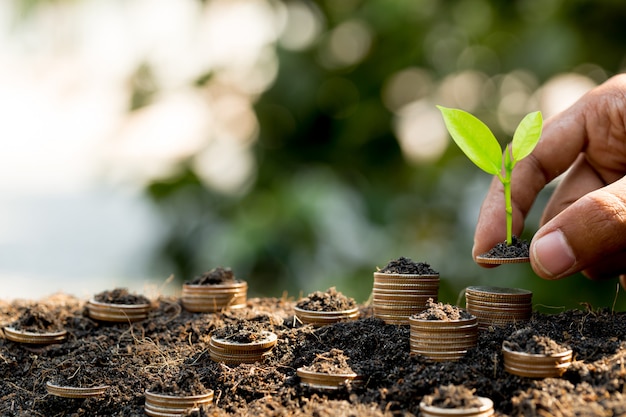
{"points": [[589, 236]]}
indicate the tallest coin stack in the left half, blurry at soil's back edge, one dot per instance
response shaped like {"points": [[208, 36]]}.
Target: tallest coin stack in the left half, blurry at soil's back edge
{"points": [[213, 298]]}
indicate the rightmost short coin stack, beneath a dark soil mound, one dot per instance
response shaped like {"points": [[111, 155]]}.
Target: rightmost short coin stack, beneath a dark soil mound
{"points": [[533, 365]]}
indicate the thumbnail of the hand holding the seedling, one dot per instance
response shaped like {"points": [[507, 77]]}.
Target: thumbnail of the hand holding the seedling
{"points": [[553, 255]]}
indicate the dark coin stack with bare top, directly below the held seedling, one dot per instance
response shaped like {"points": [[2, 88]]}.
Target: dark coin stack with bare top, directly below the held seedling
{"points": [[495, 306]]}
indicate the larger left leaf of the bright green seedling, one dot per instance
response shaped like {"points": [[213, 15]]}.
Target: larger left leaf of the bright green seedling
{"points": [[474, 138]]}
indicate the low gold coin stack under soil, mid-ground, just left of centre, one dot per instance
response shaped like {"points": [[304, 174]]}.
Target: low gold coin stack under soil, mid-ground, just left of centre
{"points": [[234, 353]]}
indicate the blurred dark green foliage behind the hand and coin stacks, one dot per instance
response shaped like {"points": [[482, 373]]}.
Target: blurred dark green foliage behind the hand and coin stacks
{"points": [[334, 197]]}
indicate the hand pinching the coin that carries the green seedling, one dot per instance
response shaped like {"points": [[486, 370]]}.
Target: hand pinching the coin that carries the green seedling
{"points": [[583, 227]]}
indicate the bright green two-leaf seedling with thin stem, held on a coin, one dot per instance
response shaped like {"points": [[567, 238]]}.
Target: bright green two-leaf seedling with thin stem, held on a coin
{"points": [[480, 145]]}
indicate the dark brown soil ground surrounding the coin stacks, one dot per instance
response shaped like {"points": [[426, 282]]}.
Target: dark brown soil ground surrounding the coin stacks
{"points": [[132, 357]]}
